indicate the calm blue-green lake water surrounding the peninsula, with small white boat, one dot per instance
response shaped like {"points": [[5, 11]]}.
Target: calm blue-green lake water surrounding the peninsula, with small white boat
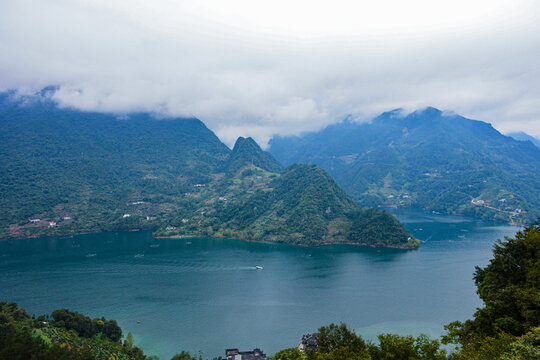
{"points": [[204, 294]]}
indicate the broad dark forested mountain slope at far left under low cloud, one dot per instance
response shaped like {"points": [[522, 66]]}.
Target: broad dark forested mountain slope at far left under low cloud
{"points": [[83, 170]]}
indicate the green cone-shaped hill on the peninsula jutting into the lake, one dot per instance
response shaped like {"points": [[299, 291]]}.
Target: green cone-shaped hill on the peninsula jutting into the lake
{"points": [[303, 205]]}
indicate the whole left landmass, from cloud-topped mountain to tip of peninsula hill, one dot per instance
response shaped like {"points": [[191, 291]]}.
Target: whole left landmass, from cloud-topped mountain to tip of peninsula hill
{"points": [[64, 171]]}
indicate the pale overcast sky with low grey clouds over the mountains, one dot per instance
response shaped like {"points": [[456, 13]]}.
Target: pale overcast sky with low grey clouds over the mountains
{"points": [[261, 68]]}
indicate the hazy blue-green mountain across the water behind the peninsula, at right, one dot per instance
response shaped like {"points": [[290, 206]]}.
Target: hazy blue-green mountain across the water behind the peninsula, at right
{"points": [[437, 161]]}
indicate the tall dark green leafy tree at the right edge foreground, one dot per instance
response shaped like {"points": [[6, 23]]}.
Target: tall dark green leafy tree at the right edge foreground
{"points": [[510, 288]]}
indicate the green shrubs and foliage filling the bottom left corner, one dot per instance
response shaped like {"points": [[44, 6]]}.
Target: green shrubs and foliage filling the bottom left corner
{"points": [[69, 335]]}
